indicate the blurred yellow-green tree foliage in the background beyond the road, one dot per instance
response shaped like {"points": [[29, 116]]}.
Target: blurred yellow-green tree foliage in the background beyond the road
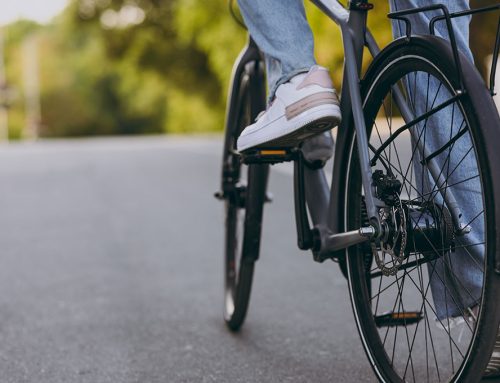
{"points": [[143, 66]]}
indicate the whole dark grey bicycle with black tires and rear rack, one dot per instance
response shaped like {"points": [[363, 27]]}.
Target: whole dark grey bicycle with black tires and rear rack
{"points": [[389, 228]]}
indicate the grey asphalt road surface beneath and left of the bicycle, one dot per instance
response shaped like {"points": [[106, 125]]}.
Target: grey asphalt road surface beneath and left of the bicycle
{"points": [[111, 271]]}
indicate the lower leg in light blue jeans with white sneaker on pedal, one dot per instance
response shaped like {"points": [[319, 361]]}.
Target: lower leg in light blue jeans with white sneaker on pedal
{"points": [[302, 101]]}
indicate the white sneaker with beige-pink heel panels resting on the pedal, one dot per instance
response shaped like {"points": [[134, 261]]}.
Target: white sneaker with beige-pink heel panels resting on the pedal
{"points": [[303, 107]]}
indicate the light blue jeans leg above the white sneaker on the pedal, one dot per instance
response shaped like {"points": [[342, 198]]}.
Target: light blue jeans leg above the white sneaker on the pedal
{"points": [[282, 33]]}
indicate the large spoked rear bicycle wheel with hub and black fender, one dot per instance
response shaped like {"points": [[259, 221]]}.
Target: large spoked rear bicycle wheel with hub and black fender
{"points": [[425, 303]]}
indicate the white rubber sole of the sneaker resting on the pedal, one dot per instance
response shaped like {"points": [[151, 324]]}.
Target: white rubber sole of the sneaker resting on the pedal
{"points": [[312, 123]]}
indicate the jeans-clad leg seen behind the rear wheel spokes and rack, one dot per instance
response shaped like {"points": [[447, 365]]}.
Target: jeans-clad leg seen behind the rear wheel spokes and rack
{"points": [[450, 298]]}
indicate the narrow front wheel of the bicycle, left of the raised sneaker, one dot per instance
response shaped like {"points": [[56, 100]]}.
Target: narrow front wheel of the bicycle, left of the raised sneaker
{"points": [[244, 202]]}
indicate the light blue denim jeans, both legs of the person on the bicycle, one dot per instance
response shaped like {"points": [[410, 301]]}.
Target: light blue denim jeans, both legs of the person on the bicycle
{"points": [[281, 30]]}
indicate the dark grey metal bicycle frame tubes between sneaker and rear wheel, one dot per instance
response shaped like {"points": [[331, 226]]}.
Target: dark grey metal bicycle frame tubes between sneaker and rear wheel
{"points": [[332, 236]]}
